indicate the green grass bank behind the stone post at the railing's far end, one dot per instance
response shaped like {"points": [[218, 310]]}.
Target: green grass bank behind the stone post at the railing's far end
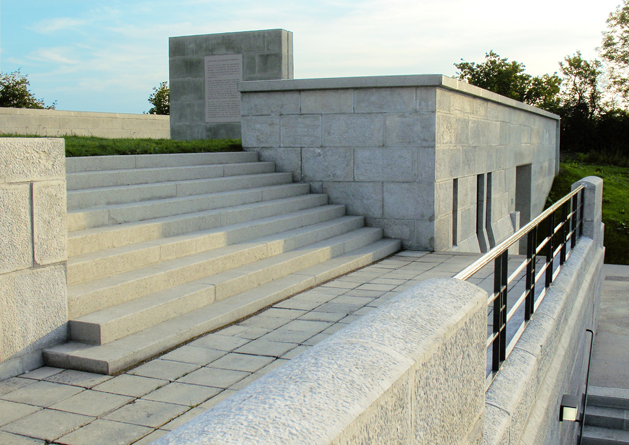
{"points": [[615, 203]]}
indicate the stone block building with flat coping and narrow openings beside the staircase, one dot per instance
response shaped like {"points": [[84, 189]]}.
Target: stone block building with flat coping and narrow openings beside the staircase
{"points": [[393, 147]]}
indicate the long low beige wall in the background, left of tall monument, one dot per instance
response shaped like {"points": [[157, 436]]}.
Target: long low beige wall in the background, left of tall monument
{"points": [[28, 121]]}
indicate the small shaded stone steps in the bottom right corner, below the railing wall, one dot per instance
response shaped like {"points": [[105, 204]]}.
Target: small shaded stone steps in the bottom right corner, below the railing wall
{"points": [[606, 417]]}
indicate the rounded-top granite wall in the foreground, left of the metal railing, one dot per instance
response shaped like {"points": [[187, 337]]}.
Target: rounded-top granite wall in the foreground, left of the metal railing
{"points": [[412, 371]]}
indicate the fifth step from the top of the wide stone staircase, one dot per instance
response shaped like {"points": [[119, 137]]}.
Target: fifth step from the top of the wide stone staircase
{"points": [[122, 231]]}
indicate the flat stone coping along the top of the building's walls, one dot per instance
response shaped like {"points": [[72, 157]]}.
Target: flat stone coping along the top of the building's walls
{"points": [[414, 80]]}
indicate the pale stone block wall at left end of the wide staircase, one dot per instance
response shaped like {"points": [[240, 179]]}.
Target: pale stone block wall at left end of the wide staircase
{"points": [[33, 299]]}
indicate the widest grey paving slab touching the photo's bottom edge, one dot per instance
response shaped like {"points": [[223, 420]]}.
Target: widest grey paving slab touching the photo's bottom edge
{"points": [[105, 432]]}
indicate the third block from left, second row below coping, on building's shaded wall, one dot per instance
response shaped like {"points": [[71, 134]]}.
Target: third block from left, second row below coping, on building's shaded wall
{"points": [[353, 130]]}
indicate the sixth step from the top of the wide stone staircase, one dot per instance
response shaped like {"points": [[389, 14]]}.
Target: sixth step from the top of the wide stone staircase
{"points": [[222, 234]]}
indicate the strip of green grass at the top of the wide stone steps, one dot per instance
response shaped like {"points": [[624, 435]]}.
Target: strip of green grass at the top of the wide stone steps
{"points": [[93, 146]]}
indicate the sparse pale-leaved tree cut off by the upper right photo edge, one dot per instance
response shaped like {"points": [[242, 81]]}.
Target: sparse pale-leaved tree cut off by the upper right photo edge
{"points": [[615, 50]]}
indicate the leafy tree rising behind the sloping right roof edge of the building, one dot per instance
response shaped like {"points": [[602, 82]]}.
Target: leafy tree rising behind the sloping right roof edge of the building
{"points": [[509, 79]]}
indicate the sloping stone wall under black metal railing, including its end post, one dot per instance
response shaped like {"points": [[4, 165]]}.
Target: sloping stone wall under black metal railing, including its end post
{"points": [[551, 357]]}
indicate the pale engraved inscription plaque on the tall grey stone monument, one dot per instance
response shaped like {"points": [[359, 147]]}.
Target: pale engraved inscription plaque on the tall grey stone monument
{"points": [[222, 98]]}
